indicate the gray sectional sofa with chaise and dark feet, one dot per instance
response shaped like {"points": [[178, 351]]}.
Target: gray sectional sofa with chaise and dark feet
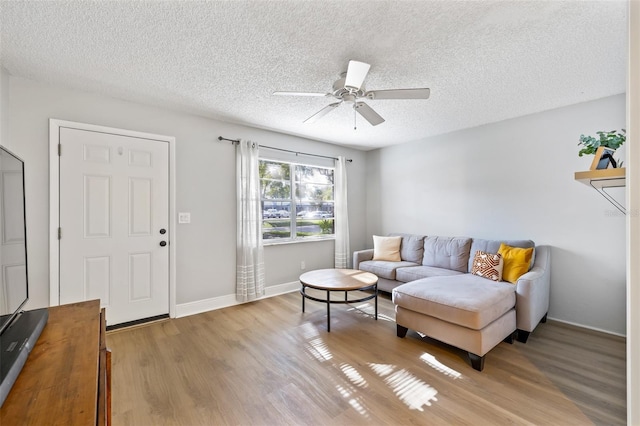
{"points": [[435, 293]]}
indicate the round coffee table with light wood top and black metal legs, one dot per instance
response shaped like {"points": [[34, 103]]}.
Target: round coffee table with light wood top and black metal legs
{"points": [[339, 280]]}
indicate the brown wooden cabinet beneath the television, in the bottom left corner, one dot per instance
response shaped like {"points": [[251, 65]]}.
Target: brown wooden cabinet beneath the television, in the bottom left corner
{"points": [[67, 377]]}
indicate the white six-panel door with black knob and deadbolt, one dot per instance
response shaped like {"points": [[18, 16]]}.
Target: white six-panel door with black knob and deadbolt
{"points": [[114, 223]]}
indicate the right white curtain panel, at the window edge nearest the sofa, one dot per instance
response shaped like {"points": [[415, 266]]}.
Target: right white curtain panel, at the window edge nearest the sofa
{"points": [[341, 213]]}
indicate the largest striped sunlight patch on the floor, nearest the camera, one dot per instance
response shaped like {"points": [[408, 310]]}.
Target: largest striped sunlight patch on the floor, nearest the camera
{"points": [[412, 391]]}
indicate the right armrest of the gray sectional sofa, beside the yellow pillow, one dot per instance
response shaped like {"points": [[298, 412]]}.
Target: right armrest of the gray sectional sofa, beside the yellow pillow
{"points": [[532, 291]]}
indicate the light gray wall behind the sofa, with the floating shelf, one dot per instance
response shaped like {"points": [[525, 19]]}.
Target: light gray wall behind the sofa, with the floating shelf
{"points": [[511, 180]]}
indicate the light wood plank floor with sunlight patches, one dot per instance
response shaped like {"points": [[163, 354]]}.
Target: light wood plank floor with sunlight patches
{"points": [[267, 363]]}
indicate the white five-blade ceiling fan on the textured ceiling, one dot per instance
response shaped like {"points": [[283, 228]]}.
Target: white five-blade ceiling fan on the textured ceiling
{"points": [[349, 89]]}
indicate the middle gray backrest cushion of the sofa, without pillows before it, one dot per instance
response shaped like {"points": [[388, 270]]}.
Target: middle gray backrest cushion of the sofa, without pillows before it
{"points": [[447, 252]]}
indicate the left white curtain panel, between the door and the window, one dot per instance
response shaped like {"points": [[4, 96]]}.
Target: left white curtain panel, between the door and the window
{"points": [[249, 249]]}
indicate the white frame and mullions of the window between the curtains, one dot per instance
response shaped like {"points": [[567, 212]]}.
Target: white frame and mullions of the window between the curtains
{"points": [[294, 238]]}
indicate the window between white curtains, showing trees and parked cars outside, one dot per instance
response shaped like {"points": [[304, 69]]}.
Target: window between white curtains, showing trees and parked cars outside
{"points": [[297, 201]]}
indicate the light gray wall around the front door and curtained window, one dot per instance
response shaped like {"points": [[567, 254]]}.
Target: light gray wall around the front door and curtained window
{"points": [[205, 186]]}
